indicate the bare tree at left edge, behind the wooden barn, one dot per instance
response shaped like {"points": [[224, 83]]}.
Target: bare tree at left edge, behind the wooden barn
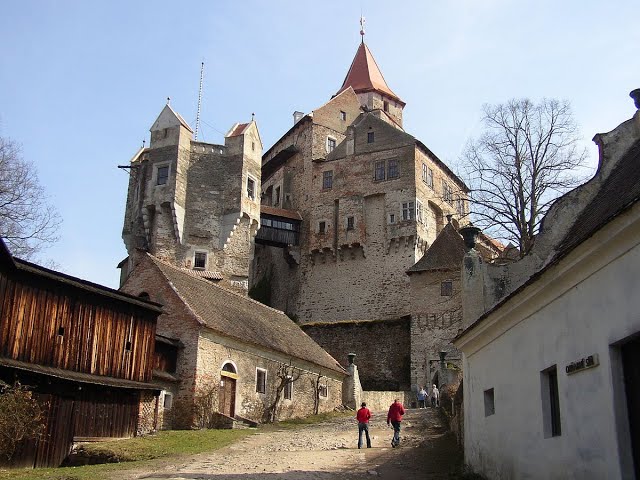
{"points": [[28, 223]]}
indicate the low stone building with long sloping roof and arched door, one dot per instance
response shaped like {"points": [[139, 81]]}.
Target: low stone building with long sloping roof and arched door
{"points": [[226, 357]]}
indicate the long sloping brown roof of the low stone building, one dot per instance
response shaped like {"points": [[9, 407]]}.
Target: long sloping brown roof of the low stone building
{"points": [[239, 317]]}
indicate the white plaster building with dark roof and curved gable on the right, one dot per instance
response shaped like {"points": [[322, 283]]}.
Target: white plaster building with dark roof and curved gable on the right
{"points": [[552, 342]]}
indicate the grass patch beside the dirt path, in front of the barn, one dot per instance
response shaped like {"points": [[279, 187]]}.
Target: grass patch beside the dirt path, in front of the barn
{"points": [[135, 451]]}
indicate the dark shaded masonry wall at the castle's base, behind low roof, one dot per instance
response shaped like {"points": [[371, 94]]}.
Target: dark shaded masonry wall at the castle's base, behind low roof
{"points": [[381, 347]]}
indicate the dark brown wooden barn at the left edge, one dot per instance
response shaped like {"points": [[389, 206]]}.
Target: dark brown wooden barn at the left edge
{"points": [[86, 351]]}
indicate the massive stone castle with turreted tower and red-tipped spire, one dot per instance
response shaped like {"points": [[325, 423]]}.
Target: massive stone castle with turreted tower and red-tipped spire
{"points": [[325, 227]]}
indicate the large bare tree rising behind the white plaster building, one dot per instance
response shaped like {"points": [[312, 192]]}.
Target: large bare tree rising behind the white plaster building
{"points": [[527, 156]]}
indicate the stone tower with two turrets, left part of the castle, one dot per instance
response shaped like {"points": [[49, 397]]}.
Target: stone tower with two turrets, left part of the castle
{"points": [[193, 204]]}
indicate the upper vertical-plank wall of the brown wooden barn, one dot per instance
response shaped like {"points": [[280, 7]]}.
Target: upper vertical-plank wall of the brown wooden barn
{"points": [[95, 331]]}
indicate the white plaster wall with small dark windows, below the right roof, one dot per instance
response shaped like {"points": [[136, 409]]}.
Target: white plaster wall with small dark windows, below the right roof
{"points": [[580, 307]]}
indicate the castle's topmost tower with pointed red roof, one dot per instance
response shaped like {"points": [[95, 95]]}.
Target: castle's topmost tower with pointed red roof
{"points": [[366, 79]]}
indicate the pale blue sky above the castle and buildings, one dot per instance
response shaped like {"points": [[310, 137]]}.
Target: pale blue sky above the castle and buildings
{"points": [[81, 82]]}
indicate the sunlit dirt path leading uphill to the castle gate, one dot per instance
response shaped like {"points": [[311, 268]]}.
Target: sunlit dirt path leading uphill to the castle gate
{"points": [[327, 451]]}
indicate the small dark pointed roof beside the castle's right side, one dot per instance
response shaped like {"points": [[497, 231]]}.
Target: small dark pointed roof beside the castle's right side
{"points": [[445, 253]]}
